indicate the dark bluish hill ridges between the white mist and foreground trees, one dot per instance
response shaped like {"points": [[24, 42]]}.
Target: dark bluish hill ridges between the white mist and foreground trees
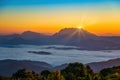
{"points": [[8, 67]]}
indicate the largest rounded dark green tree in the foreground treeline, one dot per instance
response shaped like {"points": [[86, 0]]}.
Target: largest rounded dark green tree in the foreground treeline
{"points": [[74, 71]]}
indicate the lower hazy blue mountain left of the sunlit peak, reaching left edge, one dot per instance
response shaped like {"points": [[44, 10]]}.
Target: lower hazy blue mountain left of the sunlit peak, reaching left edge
{"points": [[27, 37]]}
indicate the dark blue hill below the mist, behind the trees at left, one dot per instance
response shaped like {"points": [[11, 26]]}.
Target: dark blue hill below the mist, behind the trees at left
{"points": [[8, 67]]}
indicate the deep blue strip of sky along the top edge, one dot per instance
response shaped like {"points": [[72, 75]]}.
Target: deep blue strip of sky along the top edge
{"points": [[46, 2]]}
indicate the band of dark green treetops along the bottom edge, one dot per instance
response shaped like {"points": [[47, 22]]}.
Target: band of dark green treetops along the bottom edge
{"points": [[74, 71]]}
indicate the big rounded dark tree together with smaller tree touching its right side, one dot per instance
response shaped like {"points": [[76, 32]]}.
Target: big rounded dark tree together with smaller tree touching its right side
{"points": [[77, 71]]}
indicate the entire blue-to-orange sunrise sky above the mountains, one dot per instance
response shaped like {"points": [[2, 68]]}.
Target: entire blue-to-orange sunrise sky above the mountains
{"points": [[101, 17]]}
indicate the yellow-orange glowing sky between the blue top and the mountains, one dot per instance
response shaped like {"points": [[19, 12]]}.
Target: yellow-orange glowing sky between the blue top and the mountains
{"points": [[99, 21]]}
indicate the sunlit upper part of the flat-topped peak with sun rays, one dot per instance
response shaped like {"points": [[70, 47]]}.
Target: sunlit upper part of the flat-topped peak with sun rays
{"points": [[74, 33]]}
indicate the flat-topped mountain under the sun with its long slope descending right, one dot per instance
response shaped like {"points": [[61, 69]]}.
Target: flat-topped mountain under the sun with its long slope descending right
{"points": [[83, 39]]}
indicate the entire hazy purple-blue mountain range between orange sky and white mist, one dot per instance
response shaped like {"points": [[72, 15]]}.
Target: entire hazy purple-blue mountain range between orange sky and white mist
{"points": [[67, 36]]}
